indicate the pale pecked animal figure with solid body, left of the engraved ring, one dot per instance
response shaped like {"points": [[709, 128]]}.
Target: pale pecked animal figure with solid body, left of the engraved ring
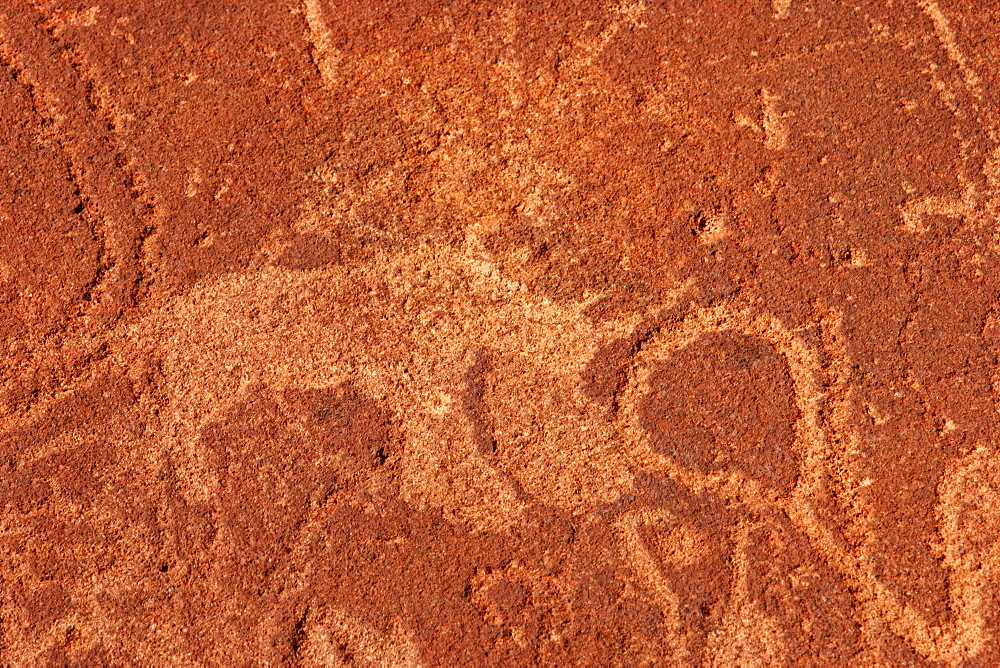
{"points": [[283, 328]]}
